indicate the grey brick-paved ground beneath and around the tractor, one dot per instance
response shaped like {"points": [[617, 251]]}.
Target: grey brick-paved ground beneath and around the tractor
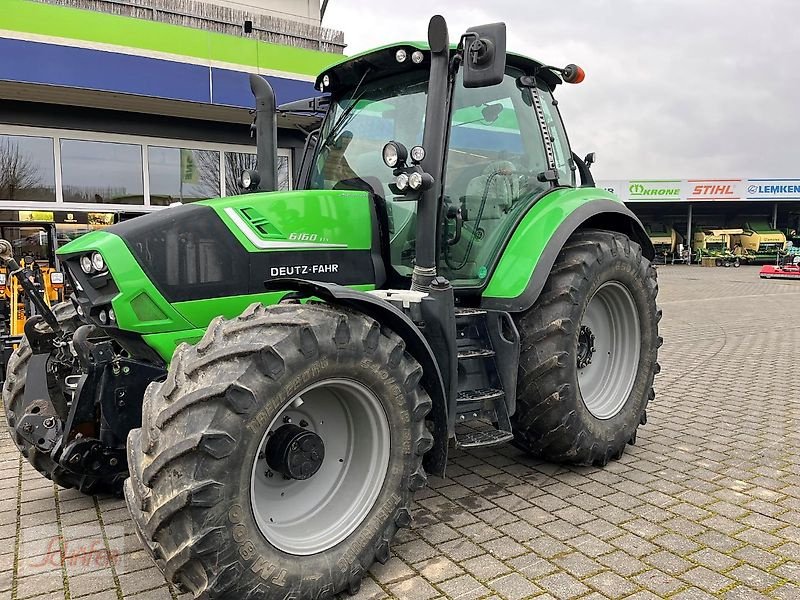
{"points": [[707, 504]]}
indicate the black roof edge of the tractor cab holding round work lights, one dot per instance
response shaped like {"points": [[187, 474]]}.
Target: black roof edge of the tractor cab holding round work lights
{"points": [[382, 62]]}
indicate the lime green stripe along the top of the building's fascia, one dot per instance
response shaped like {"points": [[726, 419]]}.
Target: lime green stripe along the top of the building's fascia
{"points": [[25, 16]]}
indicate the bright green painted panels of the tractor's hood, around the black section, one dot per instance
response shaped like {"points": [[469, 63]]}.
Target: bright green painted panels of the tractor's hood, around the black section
{"points": [[336, 217]]}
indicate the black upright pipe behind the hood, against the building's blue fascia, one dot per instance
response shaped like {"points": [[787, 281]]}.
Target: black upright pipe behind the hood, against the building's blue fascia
{"points": [[265, 128]]}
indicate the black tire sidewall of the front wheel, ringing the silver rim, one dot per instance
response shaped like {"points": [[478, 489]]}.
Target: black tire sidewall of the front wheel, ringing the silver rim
{"points": [[245, 556]]}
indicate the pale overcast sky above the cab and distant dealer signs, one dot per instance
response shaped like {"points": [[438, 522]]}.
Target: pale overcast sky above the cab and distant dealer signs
{"points": [[674, 89]]}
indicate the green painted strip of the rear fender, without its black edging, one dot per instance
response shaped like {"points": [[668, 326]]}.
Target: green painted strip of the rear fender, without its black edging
{"points": [[523, 251]]}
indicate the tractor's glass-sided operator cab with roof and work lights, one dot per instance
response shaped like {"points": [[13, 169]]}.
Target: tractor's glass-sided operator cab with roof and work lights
{"points": [[504, 147]]}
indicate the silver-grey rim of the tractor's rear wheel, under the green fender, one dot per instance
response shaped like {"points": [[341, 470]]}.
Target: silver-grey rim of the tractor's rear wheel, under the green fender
{"points": [[609, 345]]}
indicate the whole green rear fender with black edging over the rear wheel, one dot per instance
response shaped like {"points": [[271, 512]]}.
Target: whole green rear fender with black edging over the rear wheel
{"points": [[534, 245]]}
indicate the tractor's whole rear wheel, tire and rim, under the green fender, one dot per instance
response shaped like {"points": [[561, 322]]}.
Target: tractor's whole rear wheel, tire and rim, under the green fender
{"points": [[588, 352]]}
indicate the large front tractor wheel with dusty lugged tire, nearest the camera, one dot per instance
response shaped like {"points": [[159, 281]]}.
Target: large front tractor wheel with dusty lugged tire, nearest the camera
{"points": [[279, 457]]}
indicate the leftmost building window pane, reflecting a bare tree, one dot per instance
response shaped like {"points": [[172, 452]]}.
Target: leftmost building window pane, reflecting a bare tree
{"points": [[27, 168]]}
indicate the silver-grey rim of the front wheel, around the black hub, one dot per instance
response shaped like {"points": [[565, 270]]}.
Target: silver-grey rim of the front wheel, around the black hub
{"points": [[304, 517]]}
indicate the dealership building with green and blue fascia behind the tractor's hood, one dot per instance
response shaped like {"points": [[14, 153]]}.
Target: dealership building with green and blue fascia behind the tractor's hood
{"points": [[113, 108]]}
